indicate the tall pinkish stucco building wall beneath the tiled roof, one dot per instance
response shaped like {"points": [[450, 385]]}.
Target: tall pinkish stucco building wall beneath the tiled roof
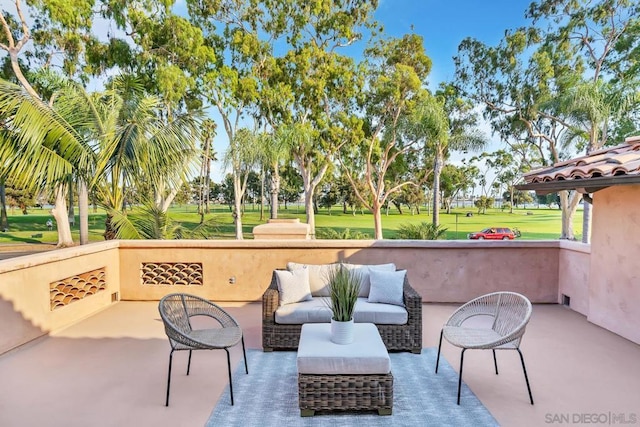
{"points": [[614, 294]]}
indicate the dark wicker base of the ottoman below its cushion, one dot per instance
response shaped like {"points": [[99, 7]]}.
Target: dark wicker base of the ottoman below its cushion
{"points": [[345, 392]]}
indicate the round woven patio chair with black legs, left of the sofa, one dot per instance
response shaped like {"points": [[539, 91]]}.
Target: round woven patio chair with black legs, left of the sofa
{"points": [[176, 311]]}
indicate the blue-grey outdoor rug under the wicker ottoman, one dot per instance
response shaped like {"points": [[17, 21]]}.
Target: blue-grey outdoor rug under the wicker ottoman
{"points": [[268, 396]]}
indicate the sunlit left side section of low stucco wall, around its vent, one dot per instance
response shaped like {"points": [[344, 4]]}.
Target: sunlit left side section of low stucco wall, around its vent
{"points": [[25, 308]]}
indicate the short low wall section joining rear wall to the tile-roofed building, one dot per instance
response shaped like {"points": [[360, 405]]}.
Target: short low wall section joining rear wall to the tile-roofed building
{"points": [[573, 278]]}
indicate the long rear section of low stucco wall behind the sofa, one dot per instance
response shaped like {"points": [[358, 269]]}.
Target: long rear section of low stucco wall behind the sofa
{"points": [[451, 271]]}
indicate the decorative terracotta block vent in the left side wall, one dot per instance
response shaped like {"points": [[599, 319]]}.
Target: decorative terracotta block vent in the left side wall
{"points": [[74, 288]]}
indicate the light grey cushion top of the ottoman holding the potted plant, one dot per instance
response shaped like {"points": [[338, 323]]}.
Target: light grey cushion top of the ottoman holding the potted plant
{"points": [[318, 355]]}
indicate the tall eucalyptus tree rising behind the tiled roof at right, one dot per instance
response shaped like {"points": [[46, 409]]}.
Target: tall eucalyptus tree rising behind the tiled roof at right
{"points": [[567, 42]]}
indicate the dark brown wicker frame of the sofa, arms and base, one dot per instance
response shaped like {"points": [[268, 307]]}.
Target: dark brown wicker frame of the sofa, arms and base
{"points": [[396, 337]]}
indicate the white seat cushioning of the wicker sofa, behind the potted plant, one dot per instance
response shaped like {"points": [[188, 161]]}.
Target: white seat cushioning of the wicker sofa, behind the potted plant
{"points": [[317, 311]]}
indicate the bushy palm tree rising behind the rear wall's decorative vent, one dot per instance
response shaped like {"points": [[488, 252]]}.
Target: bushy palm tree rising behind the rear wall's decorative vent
{"points": [[138, 145]]}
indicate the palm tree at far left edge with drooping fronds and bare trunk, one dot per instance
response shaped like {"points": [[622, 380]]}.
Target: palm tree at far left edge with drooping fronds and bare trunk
{"points": [[40, 145]]}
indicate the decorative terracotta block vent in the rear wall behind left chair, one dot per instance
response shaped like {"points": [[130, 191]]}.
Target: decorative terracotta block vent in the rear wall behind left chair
{"points": [[172, 273]]}
